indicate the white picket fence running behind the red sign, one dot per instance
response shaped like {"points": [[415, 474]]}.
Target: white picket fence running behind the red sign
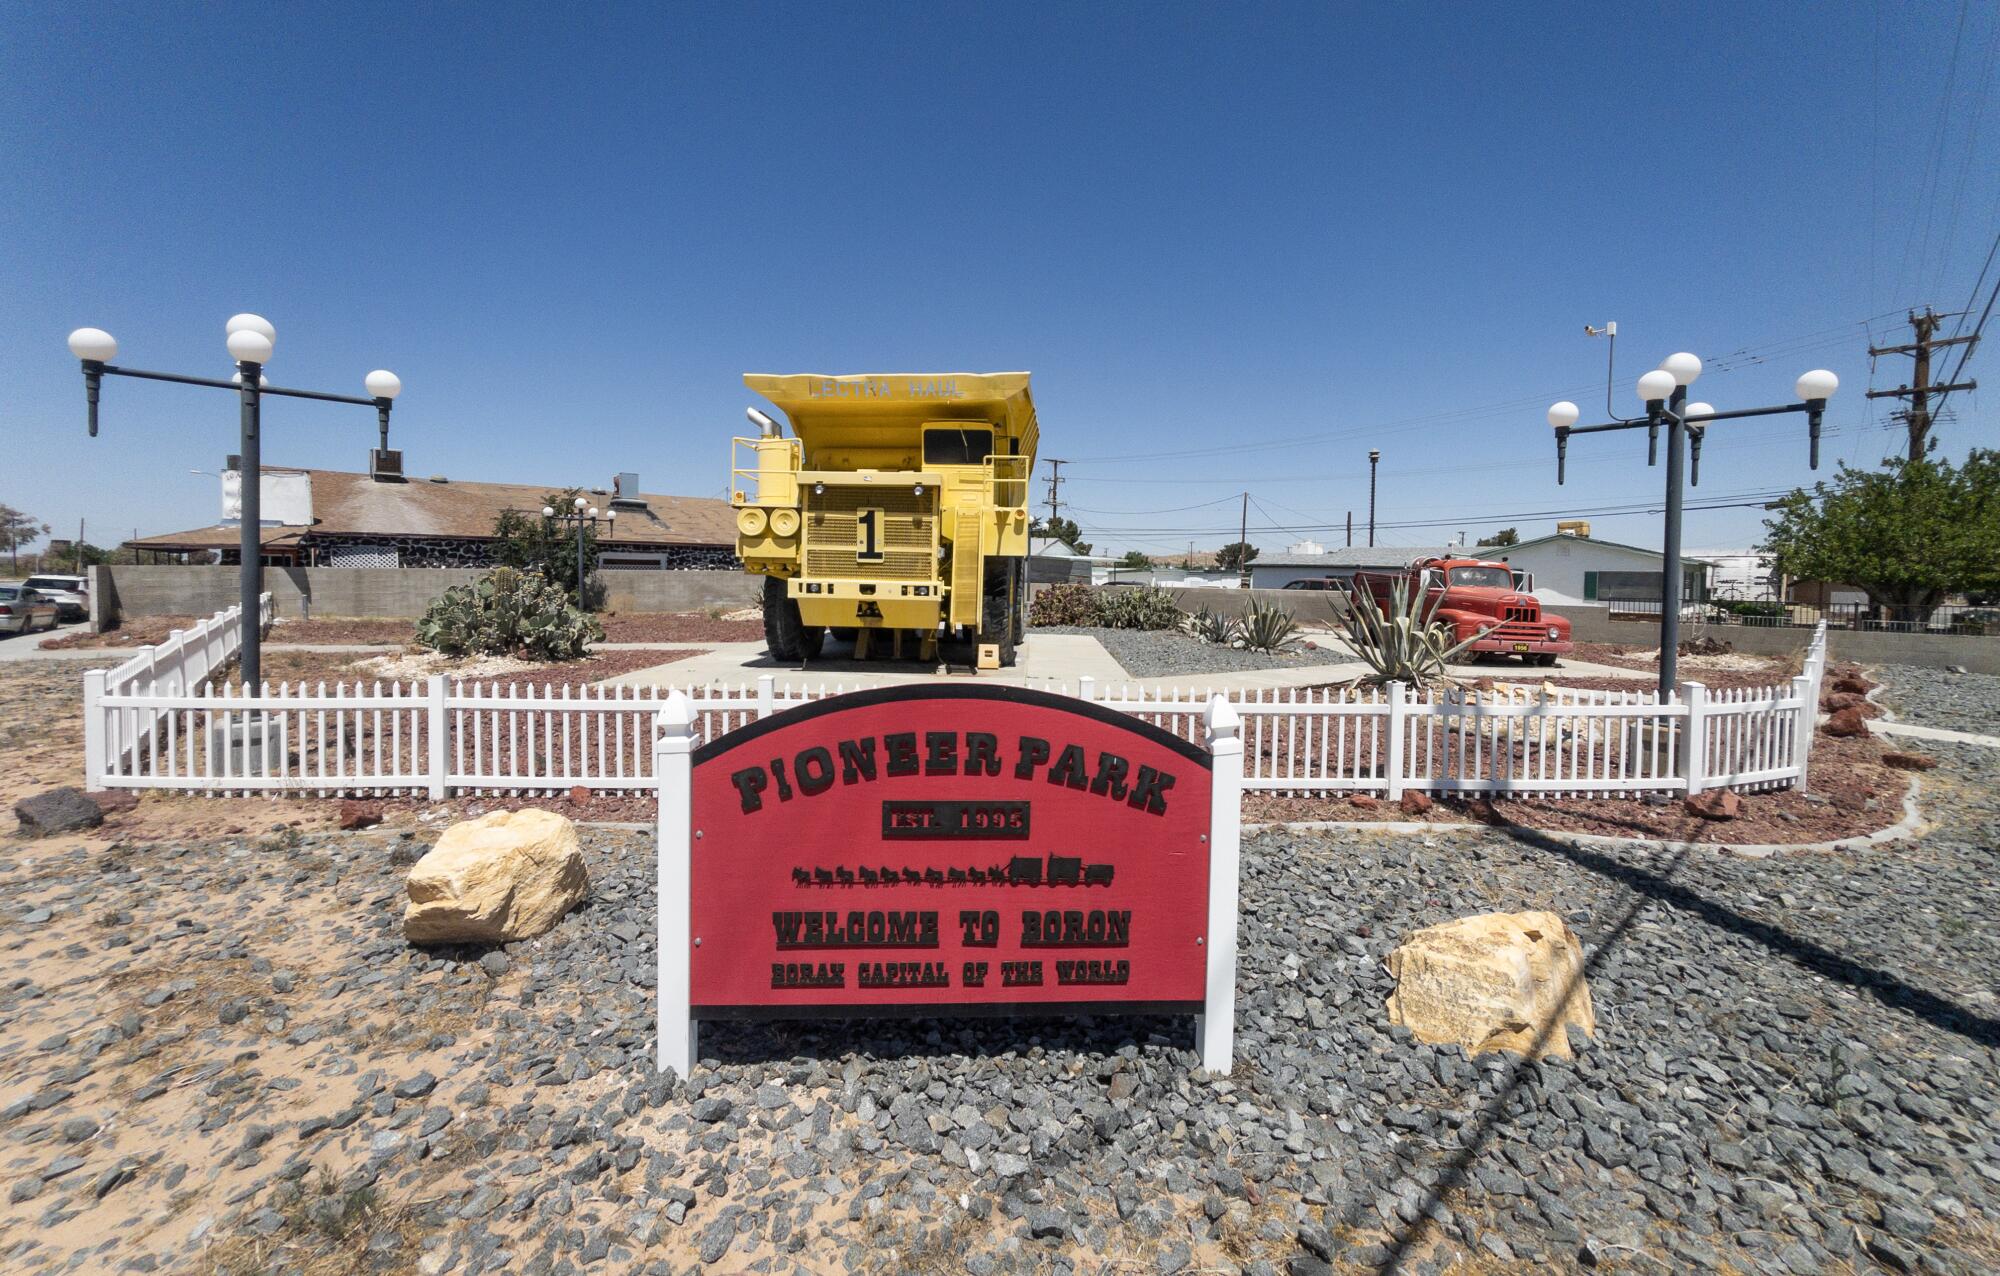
{"points": [[155, 723]]}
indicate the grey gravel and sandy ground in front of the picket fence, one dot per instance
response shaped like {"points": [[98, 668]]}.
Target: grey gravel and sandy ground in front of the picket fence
{"points": [[225, 1057]]}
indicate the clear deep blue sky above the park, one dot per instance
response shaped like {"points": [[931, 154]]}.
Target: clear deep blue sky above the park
{"points": [[1205, 229]]}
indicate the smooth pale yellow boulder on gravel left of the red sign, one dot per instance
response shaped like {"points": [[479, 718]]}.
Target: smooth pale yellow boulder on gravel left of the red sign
{"points": [[505, 877]]}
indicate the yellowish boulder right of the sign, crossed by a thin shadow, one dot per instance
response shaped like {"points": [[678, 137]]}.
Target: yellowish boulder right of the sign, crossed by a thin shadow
{"points": [[1501, 981]]}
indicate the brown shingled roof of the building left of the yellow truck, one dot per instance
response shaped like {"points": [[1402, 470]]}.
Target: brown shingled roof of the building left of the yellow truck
{"points": [[355, 505]]}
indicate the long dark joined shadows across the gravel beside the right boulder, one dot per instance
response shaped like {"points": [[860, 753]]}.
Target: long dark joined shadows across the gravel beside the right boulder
{"points": [[1657, 887]]}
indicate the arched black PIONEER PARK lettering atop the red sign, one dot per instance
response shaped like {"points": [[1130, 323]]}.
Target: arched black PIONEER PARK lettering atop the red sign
{"points": [[813, 771]]}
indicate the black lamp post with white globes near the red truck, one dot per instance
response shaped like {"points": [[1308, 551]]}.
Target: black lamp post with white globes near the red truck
{"points": [[1665, 393]]}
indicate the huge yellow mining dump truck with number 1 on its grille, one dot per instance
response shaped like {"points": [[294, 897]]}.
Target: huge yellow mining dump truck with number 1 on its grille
{"points": [[895, 513]]}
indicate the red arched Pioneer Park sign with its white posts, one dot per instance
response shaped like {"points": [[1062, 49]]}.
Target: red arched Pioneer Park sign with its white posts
{"points": [[947, 851]]}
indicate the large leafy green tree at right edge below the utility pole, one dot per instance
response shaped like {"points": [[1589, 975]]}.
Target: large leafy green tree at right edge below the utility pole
{"points": [[1907, 535]]}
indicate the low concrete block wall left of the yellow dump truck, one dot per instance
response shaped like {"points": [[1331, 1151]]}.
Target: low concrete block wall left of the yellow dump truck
{"points": [[397, 593]]}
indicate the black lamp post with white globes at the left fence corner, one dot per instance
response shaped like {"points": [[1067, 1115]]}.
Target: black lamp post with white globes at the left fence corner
{"points": [[251, 341]]}
